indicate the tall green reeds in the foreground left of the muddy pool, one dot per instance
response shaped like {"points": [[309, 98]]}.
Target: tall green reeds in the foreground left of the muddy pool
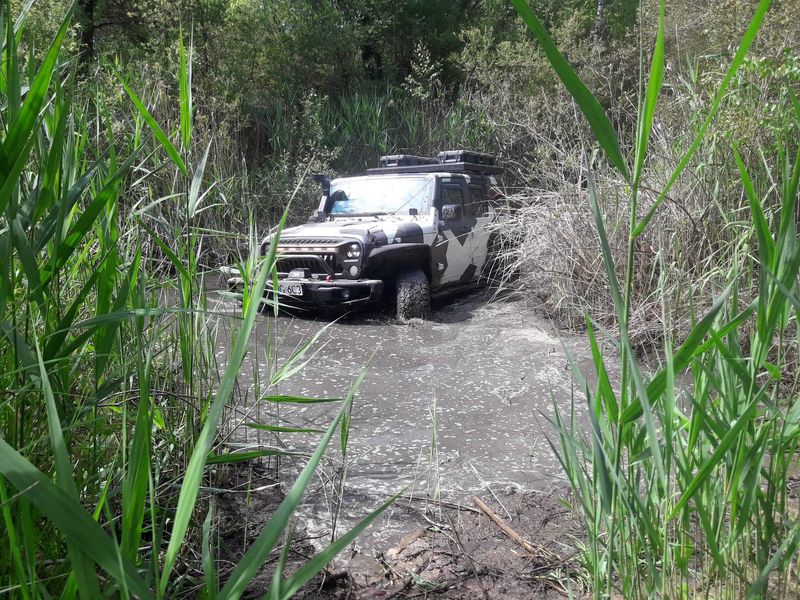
{"points": [[111, 398]]}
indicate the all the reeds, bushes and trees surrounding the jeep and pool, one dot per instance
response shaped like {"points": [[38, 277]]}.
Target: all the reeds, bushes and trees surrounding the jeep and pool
{"points": [[279, 89]]}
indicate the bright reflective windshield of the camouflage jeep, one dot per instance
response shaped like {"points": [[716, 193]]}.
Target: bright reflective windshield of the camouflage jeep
{"points": [[379, 195]]}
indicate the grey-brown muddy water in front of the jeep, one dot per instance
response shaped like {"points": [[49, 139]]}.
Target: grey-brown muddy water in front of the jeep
{"points": [[449, 408]]}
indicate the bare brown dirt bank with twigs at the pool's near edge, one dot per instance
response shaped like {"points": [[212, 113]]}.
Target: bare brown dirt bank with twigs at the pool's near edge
{"points": [[463, 552]]}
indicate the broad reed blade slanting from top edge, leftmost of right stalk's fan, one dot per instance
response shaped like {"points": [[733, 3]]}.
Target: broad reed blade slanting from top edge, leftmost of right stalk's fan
{"points": [[590, 107]]}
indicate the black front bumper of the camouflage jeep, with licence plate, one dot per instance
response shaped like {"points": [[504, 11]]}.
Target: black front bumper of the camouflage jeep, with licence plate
{"points": [[320, 293]]}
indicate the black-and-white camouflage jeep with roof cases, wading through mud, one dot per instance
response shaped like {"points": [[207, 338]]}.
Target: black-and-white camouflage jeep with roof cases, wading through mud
{"points": [[413, 227]]}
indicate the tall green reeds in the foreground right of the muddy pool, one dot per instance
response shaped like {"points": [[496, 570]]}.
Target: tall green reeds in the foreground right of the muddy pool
{"points": [[683, 477]]}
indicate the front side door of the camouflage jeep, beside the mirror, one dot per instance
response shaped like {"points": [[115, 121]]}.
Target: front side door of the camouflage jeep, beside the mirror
{"points": [[451, 254]]}
